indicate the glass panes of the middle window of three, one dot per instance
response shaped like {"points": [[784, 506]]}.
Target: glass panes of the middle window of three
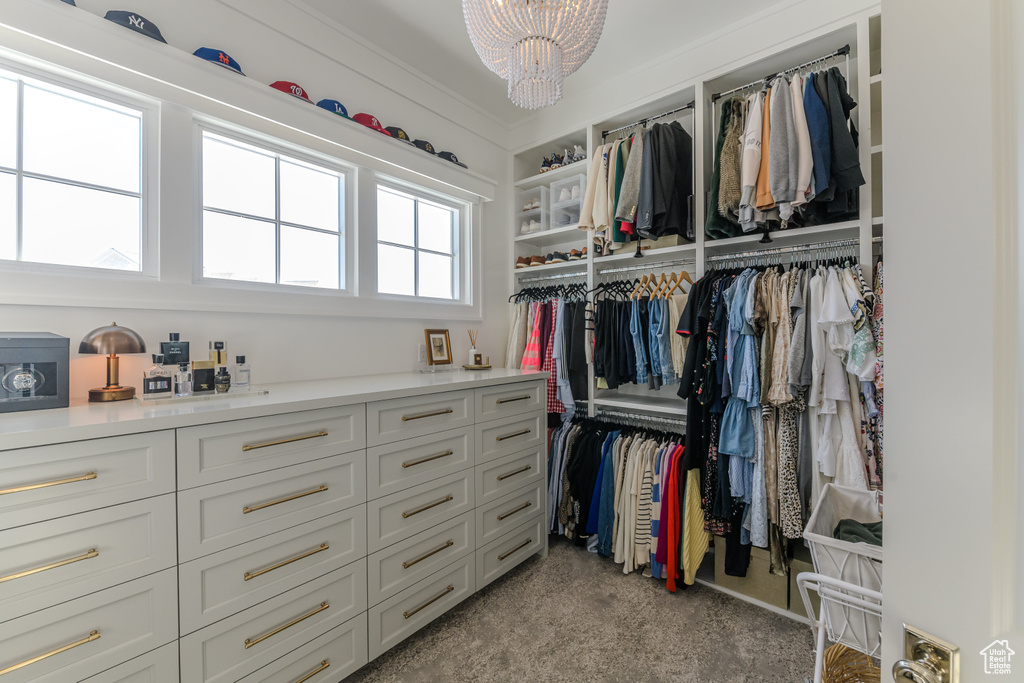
{"points": [[271, 219]]}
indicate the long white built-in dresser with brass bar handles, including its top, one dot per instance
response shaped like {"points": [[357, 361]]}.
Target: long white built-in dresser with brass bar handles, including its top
{"points": [[290, 537]]}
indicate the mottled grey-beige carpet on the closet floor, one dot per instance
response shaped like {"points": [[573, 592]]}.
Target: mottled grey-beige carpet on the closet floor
{"points": [[575, 617]]}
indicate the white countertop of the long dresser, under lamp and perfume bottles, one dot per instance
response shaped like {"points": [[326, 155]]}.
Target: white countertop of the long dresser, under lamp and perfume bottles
{"points": [[84, 420]]}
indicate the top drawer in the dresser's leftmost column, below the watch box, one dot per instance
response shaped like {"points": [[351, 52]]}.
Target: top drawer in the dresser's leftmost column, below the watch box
{"points": [[56, 481]]}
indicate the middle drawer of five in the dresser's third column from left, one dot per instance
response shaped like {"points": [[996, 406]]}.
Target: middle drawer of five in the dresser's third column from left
{"points": [[402, 516]]}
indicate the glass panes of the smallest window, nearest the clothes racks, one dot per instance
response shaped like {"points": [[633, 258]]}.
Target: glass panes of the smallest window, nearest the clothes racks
{"points": [[417, 246]]}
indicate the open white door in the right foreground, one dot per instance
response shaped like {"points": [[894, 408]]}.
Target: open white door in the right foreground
{"points": [[953, 82]]}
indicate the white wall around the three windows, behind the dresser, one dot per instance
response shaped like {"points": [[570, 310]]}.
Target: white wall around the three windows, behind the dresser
{"points": [[285, 347]]}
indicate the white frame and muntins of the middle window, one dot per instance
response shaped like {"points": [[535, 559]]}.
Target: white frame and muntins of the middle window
{"points": [[350, 227]]}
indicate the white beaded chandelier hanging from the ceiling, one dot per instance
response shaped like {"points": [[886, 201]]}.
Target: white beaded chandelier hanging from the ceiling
{"points": [[535, 45]]}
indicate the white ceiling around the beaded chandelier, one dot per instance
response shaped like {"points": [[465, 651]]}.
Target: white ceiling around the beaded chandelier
{"points": [[432, 38]]}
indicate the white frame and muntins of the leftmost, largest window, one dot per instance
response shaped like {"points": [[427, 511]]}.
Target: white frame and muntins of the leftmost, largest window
{"points": [[149, 175]]}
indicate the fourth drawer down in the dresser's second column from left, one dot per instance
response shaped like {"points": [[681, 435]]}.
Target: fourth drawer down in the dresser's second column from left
{"points": [[239, 646]]}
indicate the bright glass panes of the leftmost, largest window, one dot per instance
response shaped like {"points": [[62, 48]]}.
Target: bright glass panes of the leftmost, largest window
{"points": [[71, 178]]}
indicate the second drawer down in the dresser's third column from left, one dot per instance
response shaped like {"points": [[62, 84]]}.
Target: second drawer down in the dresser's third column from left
{"points": [[399, 466]]}
